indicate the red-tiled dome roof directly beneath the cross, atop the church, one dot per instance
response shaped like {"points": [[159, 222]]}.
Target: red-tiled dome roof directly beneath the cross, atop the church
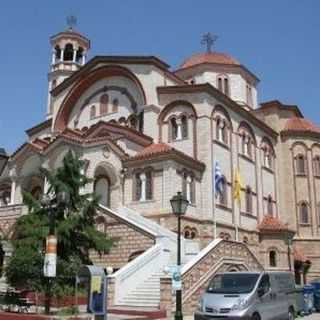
{"points": [[209, 57]]}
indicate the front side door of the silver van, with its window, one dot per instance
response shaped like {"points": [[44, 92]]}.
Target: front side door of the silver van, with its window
{"points": [[264, 299]]}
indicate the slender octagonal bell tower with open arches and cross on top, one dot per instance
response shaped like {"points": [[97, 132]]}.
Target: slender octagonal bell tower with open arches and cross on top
{"points": [[69, 52]]}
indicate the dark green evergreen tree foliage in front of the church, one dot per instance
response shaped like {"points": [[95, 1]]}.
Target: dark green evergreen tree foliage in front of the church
{"points": [[74, 227]]}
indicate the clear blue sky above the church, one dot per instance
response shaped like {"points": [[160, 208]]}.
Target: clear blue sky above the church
{"points": [[276, 39]]}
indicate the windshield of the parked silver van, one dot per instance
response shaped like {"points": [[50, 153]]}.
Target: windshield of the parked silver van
{"points": [[233, 283]]}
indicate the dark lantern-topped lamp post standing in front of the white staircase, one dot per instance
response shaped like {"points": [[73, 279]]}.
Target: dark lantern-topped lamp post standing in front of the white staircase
{"points": [[179, 206]]}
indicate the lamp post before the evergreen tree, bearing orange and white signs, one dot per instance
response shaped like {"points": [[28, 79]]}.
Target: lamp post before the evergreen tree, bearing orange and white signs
{"points": [[52, 205]]}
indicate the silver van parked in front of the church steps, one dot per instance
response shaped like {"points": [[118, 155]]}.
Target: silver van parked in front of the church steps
{"points": [[248, 295]]}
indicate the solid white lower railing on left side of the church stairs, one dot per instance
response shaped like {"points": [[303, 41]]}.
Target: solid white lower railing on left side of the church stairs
{"points": [[137, 271]]}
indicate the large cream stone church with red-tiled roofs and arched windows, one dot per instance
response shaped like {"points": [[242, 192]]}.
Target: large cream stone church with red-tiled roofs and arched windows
{"points": [[146, 132]]}
